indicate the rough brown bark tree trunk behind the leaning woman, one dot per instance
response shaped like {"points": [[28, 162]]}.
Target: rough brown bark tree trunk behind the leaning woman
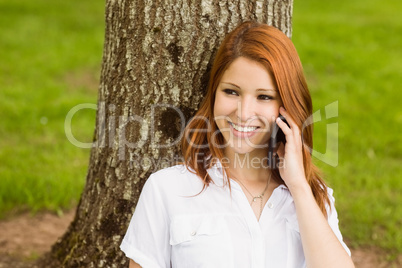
{"points": [[156, 61]]}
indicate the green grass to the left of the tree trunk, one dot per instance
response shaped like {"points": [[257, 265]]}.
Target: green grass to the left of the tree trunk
{"points": [[50, 54]]}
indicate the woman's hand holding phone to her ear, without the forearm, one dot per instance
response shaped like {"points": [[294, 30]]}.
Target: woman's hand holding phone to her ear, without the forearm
{"points": [[291, 166]]}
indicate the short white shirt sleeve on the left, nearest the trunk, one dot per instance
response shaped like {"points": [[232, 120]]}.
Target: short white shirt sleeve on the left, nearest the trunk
{"points": [[147, 237]]}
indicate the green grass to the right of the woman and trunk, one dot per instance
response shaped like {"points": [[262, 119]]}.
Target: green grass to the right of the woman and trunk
{"points": [[351, 54]]}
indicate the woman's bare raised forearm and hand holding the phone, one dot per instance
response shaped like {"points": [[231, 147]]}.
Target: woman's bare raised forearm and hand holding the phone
{"points": [[320, 245]]}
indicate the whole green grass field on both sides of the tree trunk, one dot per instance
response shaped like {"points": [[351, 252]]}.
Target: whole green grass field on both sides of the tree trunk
{"points": [[50, 61]]}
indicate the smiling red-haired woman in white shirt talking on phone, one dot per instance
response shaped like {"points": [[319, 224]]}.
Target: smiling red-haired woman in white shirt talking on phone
{"points": [[228, 205]]}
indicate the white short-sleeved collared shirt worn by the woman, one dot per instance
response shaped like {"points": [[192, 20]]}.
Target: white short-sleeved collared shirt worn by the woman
{"points": [[170, 228]]}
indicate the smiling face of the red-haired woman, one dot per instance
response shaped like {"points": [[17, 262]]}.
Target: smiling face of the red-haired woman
{"points": [[246, 105]]}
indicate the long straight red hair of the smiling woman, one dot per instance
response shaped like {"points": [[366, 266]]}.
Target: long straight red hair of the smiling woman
{"points": [[276, 52]]}
